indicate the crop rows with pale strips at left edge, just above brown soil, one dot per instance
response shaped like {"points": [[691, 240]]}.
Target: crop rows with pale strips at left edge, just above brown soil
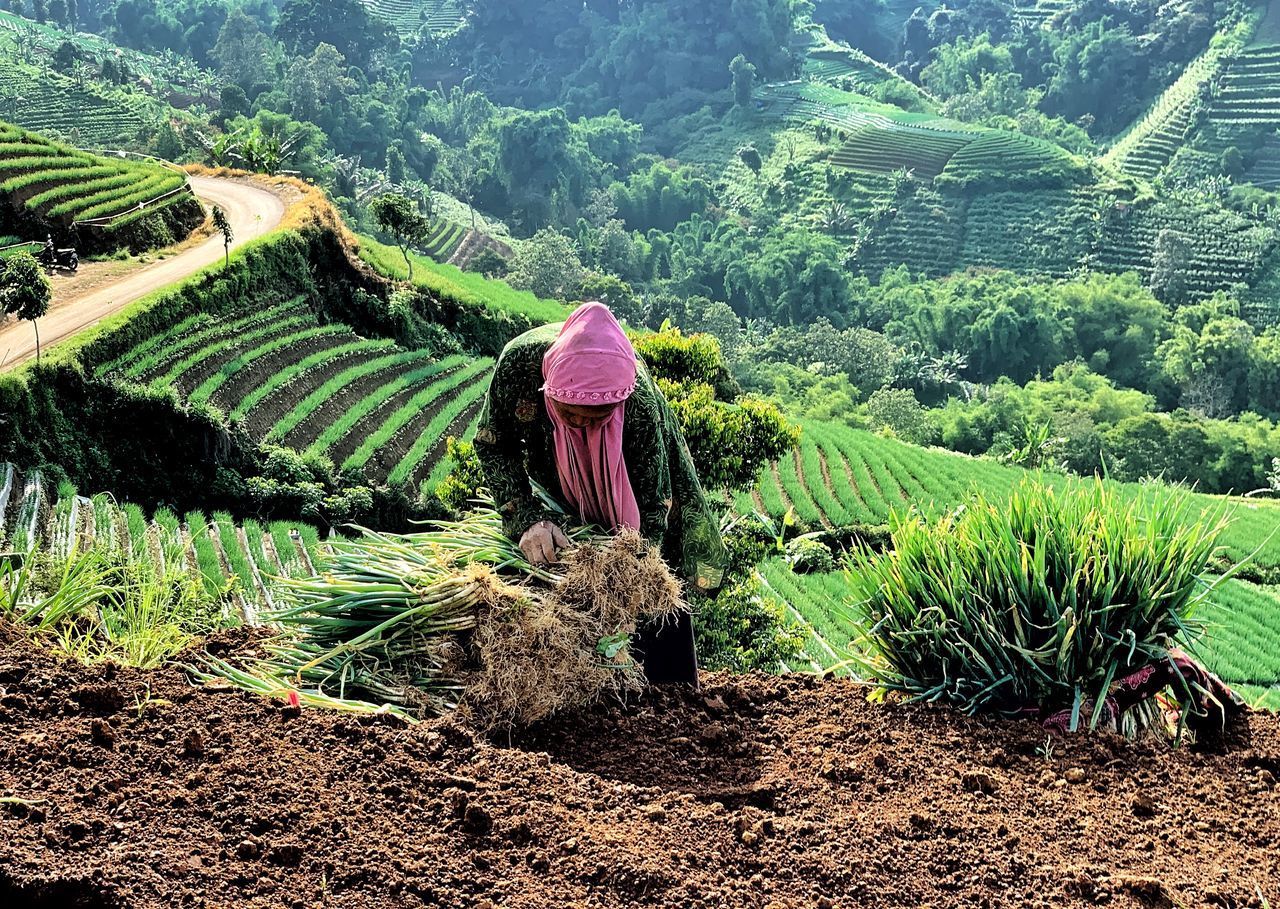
{"points": [[237, 563]]}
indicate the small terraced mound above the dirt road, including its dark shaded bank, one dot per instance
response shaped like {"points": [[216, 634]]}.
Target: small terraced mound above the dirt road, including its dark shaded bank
{"points": [[47, 188]]}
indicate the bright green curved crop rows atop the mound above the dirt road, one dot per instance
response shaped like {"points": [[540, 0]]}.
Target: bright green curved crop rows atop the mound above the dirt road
{"points": [[54, 185]]}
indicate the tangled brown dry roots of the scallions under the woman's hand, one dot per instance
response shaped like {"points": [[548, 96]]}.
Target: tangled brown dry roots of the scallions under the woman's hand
{"points": [[541, 654]]}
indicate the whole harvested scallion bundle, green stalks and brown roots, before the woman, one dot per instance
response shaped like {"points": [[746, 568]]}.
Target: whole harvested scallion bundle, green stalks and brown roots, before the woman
{"points": [[422, 622]]}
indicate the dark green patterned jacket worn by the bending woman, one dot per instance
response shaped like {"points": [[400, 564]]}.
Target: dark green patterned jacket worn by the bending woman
{"points": [[514, 444]]}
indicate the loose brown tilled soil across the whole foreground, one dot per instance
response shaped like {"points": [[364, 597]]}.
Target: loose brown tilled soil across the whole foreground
{"points": [[127, 789]]}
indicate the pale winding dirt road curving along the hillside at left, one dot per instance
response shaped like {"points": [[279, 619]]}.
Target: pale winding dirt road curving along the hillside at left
{"points": [[95, 294]]}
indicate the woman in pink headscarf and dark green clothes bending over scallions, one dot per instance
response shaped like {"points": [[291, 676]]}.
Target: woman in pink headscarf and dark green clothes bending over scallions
{"points": [[574, 410]]}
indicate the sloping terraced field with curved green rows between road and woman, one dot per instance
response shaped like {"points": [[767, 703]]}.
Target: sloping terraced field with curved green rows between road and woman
{"points": [[289, 380]]}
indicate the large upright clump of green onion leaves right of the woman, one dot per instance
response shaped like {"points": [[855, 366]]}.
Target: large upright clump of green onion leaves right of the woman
{"points": [[1040, 601]]}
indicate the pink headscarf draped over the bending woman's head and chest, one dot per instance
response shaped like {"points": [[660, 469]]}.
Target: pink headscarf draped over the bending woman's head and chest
{"points": [[592, 363]]}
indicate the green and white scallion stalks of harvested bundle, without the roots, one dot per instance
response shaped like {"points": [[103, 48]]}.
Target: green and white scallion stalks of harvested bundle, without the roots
{"points": [[381, 622]]}
